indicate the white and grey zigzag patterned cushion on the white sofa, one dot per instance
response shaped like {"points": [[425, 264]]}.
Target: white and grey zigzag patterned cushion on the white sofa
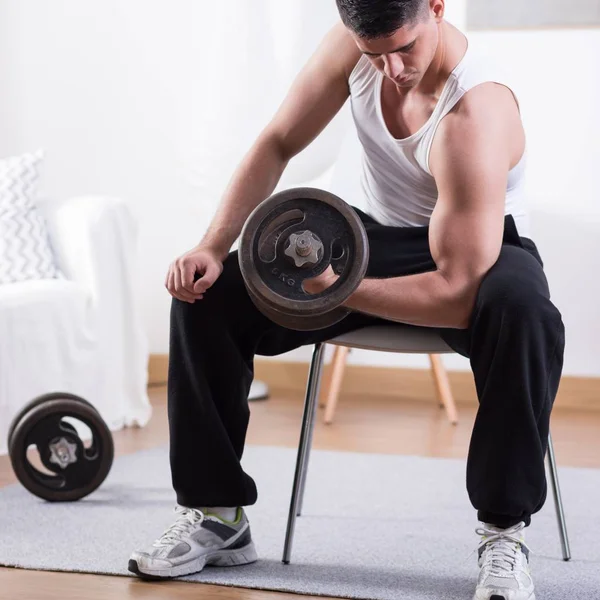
{"points": [[25, 249]]}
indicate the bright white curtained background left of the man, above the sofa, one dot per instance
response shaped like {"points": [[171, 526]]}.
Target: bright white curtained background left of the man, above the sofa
{"points": [[155, 102]]}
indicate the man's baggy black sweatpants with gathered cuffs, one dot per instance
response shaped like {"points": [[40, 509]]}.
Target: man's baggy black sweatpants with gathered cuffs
{"points": [[515, 344]]}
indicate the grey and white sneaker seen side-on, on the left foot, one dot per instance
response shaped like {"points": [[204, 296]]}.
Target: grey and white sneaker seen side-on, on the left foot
{"points": [[196, 539]]}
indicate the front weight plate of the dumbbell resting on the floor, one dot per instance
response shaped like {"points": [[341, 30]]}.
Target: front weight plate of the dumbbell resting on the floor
{"points": [[76, 471]]}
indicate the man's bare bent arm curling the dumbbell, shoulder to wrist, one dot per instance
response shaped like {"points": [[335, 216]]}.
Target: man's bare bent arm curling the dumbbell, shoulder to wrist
{"points": [[470, 160]]}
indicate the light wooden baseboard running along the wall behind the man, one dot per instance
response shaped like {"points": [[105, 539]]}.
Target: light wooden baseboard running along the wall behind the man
{"points": [[581, 393]]}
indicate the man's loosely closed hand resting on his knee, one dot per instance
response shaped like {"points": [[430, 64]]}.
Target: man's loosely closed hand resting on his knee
{"points": [[200, 261]]}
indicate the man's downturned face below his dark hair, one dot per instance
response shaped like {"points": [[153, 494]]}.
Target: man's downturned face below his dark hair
{"points": [[404, 57]]}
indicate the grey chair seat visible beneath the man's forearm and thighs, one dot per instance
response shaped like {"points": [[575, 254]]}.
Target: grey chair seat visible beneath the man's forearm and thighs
{"points": [[395, 337]]}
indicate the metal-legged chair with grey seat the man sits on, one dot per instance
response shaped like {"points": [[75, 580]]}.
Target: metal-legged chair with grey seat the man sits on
{"points": [[397, 338]]}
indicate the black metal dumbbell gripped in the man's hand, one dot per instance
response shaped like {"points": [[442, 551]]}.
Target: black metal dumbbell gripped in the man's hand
{"points": [[293, 236]]}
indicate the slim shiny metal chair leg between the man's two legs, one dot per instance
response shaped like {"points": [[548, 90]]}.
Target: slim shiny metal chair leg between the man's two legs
{"points": [[308, 421]]}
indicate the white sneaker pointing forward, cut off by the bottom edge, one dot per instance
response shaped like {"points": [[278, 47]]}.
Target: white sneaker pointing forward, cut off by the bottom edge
{"points": [[504, 562]]}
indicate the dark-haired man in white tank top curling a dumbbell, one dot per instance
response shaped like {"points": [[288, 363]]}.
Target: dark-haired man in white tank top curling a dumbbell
{"points": [[442, 175]]}
